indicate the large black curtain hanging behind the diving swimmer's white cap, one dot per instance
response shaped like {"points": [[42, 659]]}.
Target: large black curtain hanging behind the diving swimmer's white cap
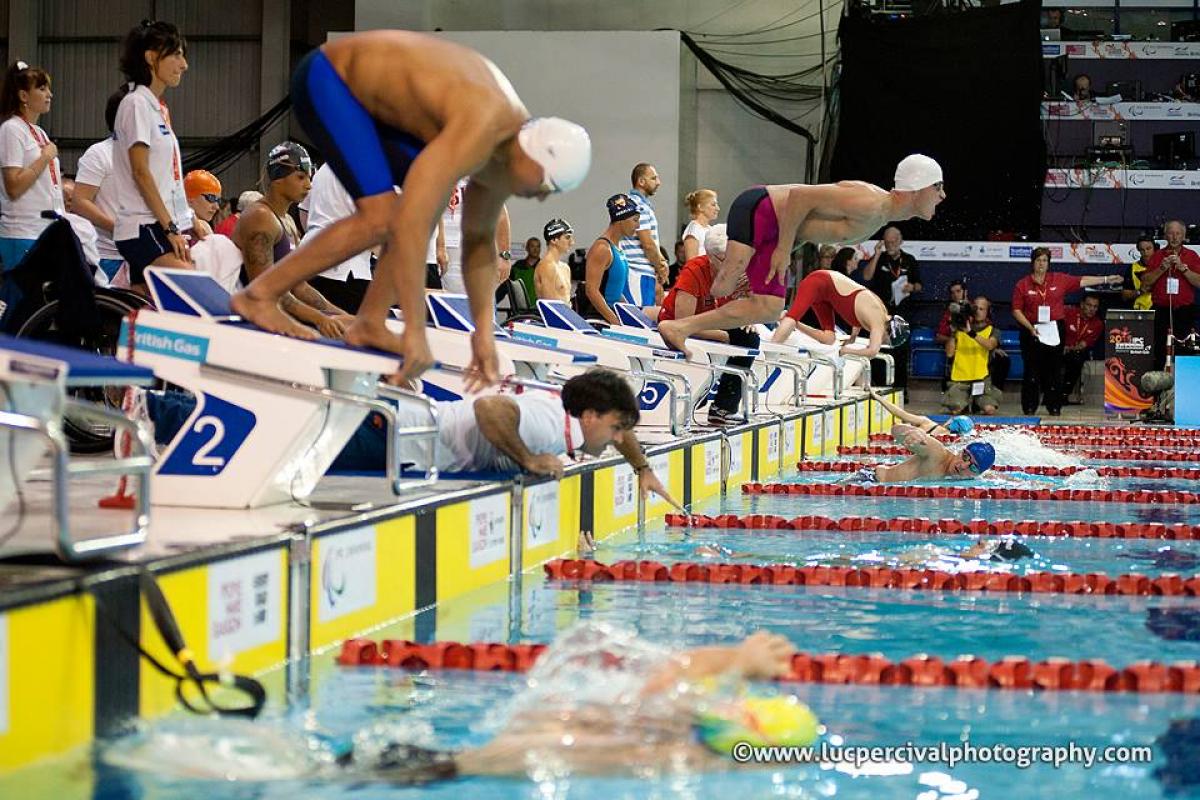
{"points": [[964, 88]]}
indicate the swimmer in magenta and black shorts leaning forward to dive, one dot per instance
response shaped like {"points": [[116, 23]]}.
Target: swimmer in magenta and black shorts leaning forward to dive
{"points": [[766, 224]]}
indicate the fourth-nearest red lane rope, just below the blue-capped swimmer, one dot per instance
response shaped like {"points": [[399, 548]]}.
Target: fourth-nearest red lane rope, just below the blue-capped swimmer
{"points": [[976, 494]]}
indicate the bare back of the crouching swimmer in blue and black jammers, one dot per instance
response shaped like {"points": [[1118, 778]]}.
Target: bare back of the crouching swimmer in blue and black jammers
{"points": [[421, 83]]}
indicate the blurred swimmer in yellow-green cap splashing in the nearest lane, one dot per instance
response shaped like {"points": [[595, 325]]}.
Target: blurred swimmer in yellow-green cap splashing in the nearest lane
{"points": [[602, 701]]}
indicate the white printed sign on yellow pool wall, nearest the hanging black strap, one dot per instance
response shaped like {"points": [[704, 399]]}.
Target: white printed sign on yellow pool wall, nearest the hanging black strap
{"points": [[245, 603]]}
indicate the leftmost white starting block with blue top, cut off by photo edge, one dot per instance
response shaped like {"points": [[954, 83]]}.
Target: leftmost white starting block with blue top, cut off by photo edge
{"points": [[34, 380]]}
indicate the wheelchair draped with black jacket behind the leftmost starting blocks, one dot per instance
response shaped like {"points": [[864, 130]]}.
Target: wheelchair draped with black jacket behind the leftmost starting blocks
{"points": [[55, 299]]}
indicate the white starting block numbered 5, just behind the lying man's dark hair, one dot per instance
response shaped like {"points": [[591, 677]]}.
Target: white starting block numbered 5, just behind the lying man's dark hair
{"points": [[656, 375]]}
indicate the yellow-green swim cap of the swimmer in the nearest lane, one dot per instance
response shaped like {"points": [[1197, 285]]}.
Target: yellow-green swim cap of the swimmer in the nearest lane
{"points": [[761, 721]]}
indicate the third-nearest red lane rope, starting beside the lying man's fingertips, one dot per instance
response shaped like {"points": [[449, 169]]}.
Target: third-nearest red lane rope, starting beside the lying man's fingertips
{"points": [[1175, 532]]}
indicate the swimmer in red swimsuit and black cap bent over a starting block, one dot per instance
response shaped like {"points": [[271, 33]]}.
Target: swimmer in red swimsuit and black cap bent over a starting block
{"points": [[831, 294]]}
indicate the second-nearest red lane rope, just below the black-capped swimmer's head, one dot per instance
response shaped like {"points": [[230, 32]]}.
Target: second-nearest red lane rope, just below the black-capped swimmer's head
{"points": [[1043, 584]]}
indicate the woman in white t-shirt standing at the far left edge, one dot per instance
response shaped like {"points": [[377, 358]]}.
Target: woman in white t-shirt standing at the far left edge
{"points": [[33, 181]]}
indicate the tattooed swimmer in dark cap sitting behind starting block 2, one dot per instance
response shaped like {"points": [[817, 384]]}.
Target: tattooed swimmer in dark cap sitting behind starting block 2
{"points": [[263, 238]]}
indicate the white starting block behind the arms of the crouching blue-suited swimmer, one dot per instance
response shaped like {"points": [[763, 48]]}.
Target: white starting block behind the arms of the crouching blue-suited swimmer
{"points": [[523, 363]]}
